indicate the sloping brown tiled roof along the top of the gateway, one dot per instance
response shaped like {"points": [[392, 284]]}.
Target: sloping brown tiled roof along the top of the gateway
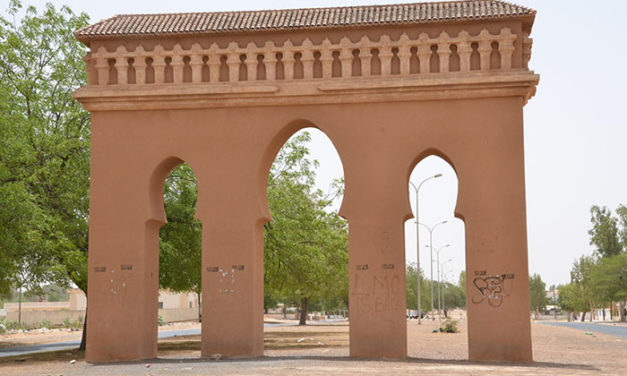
{"points": [[290, 19]]}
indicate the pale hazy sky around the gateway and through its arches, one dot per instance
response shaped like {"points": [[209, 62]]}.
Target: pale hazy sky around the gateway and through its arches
{"points": [[575, 127]]}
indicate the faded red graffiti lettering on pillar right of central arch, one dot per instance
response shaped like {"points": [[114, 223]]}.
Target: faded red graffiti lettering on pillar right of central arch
{"points": [[376, 293]]}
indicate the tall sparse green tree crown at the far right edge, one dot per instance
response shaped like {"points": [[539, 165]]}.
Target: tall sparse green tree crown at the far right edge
{"points": [[604, 232]]}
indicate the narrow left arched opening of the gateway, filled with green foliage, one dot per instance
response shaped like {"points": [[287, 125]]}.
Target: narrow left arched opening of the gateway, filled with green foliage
{"points": [[180, 255]]}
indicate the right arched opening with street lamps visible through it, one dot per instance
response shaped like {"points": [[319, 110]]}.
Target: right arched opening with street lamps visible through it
{"points": [[442, 262]]}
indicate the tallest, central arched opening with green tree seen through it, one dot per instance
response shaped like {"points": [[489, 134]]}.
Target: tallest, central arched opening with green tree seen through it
{"points": [[306, 249]]}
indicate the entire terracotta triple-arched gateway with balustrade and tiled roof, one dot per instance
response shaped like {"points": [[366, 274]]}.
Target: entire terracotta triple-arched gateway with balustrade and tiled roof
{"points": [[389, 85]]}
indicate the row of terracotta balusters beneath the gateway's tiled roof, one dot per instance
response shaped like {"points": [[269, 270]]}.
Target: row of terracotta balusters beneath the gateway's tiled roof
{"points": [[464, 53]]}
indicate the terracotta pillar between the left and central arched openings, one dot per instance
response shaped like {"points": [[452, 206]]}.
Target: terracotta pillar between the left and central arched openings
{"points": [[232, 291]]}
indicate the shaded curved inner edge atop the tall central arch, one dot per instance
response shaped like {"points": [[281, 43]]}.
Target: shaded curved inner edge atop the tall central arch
{"points": [[271, 152]]}
